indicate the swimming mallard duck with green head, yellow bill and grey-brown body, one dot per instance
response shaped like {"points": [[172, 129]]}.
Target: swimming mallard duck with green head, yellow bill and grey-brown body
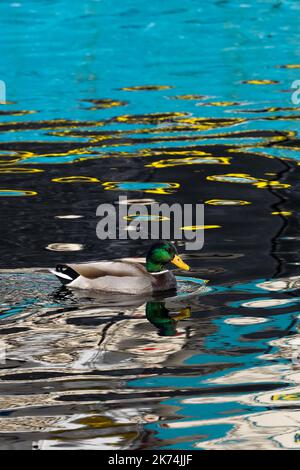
{"points": [[126, 277]]}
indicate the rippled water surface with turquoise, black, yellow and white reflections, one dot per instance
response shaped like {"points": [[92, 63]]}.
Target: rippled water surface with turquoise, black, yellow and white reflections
{"points": [[175, 103]]}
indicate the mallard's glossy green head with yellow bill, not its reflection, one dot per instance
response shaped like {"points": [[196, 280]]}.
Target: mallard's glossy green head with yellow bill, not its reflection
{"points": [[160, 255]]}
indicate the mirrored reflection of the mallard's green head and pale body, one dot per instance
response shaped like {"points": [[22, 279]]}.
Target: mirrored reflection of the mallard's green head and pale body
{"points": [[133, 335]]}
